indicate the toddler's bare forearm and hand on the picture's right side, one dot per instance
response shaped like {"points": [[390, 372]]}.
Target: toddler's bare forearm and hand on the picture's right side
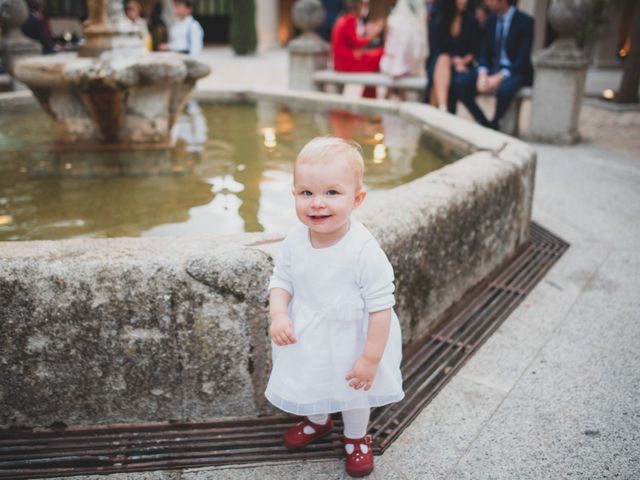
{"points": [[365, 369]]}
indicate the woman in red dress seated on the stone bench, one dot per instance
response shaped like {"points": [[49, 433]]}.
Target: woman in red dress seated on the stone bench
{"points": [[349, 52]]}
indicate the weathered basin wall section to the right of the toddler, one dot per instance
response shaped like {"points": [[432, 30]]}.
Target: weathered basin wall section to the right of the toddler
{"points": [[456, 225]]}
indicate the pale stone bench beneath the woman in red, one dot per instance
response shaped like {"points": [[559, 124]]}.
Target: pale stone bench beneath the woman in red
{"points": [[411, 87]]}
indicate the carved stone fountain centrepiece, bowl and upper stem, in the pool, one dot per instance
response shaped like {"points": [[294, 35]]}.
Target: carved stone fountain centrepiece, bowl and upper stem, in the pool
{"points": [[113, 93]]}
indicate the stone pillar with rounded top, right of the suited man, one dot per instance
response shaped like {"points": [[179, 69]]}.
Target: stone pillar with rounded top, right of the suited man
{"points": [[560, 72]]}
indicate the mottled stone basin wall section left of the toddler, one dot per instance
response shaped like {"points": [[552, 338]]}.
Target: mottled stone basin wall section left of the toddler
{"points": [[126, 330]]}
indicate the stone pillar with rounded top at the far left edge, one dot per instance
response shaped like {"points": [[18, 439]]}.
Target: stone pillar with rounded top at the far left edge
{"points": [[14, 46]]}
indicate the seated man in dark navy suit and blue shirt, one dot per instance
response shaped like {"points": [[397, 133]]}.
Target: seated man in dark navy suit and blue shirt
{"points": [[504, 62]]}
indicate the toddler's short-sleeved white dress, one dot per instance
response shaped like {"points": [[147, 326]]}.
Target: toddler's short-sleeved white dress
{"points": [[333, 291]]}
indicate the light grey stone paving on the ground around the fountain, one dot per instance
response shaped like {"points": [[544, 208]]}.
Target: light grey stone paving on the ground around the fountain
{"points": [[555, 392]]}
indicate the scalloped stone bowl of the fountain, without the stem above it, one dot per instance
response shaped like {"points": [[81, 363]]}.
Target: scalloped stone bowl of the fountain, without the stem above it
{"points": [[128, 102]]}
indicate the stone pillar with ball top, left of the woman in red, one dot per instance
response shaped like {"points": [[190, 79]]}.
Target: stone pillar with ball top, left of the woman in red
{"points": [[308, 52]]}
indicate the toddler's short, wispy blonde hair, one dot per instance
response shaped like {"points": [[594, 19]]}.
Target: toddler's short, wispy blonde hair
{"points": [[320, 149]]}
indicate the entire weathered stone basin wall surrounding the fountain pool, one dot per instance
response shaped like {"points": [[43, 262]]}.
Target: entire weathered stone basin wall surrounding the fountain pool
{"points": [[154, 329]]}
